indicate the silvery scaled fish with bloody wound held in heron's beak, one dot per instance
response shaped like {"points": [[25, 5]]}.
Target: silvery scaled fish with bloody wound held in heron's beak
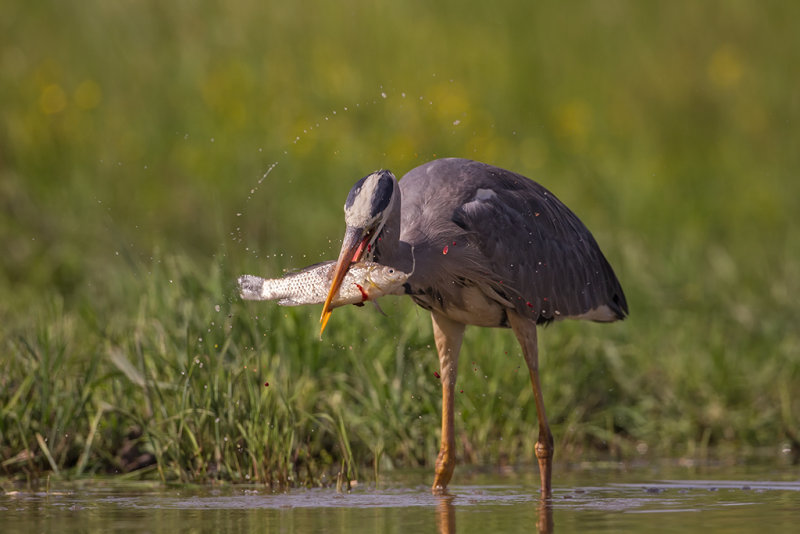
{"points": [[364, 281]]}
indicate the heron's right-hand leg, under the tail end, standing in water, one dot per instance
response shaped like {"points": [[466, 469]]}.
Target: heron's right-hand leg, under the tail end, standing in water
{"points": [[525, 330]]}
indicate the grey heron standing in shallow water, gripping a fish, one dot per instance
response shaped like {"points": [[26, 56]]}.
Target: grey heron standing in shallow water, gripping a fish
{"points": [[486, 247]]}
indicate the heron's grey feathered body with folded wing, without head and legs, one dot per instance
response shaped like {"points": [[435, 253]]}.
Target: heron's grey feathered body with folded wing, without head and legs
{"points": [[507, 236]]}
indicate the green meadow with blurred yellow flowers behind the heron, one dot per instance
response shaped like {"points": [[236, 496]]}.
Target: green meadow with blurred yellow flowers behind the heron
{"points": [[152, 151]]}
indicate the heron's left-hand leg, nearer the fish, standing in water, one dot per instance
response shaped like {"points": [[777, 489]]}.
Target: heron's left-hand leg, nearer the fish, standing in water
{"points": [[448, 335]]}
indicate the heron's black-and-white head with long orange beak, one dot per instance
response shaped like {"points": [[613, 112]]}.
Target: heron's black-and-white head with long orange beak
{"points": [[366, 211]]}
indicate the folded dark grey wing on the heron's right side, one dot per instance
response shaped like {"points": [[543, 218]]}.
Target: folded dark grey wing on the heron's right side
{"points": [[540, 249]]}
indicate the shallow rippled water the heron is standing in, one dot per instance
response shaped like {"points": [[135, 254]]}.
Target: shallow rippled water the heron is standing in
{"points": [[596, 500]]}
